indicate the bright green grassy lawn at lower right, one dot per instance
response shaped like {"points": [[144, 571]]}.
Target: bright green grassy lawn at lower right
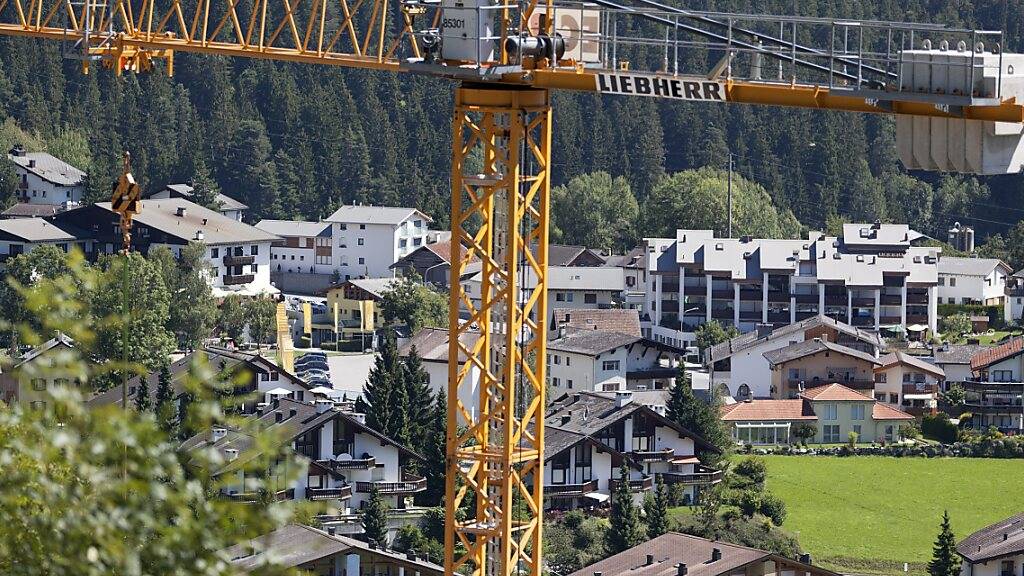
{"points": [[869, 515]]}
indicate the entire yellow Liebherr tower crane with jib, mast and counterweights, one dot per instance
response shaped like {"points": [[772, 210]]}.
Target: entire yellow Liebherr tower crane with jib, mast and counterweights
{"points": [[958, 101]]}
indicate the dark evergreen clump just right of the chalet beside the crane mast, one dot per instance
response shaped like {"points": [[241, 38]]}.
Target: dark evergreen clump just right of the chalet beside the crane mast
{"points": [[702, 419]]}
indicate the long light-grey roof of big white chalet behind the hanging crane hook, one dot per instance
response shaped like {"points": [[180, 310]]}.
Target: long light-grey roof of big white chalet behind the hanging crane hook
{"points": [[161, 214]]}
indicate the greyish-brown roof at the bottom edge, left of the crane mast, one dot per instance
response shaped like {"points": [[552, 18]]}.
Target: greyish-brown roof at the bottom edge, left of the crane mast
{"points": [[295, 545]]}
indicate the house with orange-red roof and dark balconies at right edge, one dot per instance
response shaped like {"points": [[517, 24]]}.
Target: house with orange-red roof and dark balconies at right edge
{"points": [[995, 396]]}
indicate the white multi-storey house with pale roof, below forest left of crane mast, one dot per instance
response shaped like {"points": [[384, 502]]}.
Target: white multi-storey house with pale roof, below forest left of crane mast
{"points": [[370, 239]]}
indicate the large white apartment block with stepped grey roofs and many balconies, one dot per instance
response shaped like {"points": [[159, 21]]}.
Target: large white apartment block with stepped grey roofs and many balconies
{"points": [[871, 277]]}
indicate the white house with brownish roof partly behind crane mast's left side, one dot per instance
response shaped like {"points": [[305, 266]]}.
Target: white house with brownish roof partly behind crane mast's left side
{"points": [[433, 347]]}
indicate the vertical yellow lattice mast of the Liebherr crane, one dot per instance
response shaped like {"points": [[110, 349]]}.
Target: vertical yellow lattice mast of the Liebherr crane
{"points": [[500, 219]]}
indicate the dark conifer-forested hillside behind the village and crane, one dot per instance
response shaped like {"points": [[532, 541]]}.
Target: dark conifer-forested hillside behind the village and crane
{"points": [[295, 141]]}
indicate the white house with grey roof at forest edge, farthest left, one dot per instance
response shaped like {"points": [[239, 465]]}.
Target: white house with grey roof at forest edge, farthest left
{"points": [[46, 180]]}
